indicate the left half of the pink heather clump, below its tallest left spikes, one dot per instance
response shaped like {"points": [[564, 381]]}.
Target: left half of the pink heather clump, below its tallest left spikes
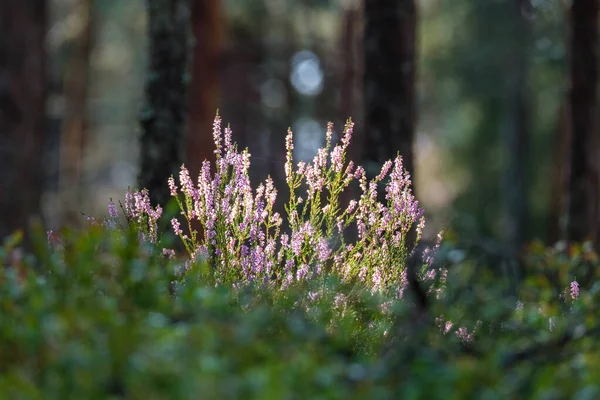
{"points": [[239, 225]]}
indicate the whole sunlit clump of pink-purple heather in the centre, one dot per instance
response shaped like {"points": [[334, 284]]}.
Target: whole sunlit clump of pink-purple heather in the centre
{"points": [[242, 235]]}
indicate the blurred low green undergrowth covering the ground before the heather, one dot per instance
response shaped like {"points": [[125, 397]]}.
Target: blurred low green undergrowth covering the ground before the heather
{"points": [[101, 315]]}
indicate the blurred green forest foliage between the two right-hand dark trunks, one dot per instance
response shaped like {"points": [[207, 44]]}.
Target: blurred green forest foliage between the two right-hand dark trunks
{"points": [[467, 61]]}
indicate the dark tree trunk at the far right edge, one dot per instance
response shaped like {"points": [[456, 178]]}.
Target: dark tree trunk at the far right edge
{"points": [[582, 221]]}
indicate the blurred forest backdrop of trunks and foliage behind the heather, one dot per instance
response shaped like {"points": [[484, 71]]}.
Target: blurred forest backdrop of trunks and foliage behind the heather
{"points": [[478, 96]]}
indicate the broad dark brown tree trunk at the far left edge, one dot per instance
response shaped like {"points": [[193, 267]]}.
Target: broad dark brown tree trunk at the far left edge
{"points": [[22, 111]]}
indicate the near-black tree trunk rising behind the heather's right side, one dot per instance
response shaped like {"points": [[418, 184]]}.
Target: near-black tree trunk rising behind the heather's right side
{"points": [[389, 80]]}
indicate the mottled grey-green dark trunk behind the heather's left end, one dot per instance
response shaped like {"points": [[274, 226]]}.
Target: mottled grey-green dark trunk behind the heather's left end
{"points": [[163, 120]]}
